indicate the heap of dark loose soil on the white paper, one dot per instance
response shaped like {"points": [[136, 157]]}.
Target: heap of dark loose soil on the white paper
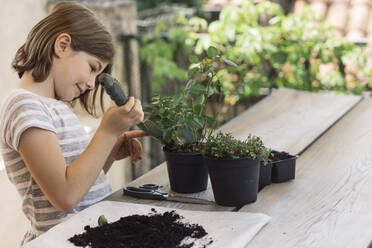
{"points": [[153, 230]]}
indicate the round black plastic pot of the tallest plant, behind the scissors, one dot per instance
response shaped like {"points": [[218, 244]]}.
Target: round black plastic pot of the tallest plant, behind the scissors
{"points": [[187, 172]]}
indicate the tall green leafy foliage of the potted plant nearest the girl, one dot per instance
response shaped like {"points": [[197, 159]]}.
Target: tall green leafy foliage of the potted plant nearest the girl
{"points": [[181, 116]]}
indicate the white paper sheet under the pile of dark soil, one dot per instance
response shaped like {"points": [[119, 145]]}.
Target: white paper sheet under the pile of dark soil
{"points": [[227, 229]]}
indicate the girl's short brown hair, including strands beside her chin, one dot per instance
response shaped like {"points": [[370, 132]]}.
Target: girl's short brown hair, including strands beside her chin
{"points": [[87, 33]]}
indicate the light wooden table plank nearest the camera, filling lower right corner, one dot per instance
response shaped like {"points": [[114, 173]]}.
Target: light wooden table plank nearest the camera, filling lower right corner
{"points": [[329, 203]]}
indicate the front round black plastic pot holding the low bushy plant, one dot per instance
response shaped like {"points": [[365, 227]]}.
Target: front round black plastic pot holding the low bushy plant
{"points": [[234, 181]]}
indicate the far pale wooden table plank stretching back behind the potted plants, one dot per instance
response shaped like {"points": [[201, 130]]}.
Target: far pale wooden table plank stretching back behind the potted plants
{"points": [[290, 120]]}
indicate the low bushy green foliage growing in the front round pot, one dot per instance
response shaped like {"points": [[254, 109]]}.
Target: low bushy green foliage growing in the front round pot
{"points": [[225, 146]]}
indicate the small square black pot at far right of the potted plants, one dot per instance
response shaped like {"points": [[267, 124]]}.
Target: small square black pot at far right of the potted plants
{"points": [[283, 169]]}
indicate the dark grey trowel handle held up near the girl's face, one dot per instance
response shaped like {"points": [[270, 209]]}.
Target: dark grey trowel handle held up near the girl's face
{"points": [[113, 89]]}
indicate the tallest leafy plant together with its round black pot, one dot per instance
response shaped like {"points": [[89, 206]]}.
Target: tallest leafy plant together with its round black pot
{"points": [[181, 118]]}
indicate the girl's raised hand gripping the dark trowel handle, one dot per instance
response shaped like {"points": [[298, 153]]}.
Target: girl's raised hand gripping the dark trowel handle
{"points": [[117, 120]]}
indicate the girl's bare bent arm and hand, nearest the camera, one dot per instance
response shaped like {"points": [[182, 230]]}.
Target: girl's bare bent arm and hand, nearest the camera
{"points": [[63, 185]]}
